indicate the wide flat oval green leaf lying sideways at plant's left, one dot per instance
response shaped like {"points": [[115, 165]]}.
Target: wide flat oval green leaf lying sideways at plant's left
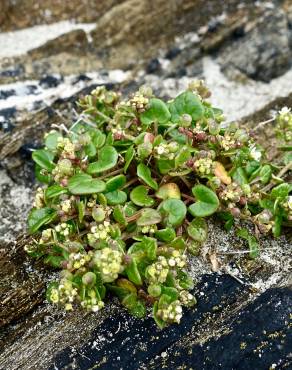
{"points": [[83, 183]]}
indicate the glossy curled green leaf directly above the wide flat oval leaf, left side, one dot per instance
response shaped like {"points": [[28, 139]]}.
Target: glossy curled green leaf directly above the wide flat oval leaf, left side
{"points": [[107, 159]]}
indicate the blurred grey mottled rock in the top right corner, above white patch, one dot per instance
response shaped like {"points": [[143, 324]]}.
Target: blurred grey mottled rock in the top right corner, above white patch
{"points": [[263, 53]]}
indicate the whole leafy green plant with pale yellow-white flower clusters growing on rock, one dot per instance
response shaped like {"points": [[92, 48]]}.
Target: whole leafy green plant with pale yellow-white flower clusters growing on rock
{"points": [[127, 191]]}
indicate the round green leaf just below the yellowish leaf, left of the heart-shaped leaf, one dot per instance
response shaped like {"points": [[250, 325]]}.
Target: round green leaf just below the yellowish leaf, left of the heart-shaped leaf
{"points": [[173, 211]]}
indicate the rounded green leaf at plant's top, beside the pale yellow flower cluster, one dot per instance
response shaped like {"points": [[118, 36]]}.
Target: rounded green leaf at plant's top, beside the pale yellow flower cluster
{"points": [[157, 112]]}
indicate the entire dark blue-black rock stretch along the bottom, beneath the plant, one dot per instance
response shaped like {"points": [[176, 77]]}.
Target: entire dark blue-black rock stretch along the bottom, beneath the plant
{"points": [[255, 337]]}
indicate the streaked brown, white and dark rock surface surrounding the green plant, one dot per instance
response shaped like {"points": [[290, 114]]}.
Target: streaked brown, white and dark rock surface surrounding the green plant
{"points": [[52, 52]]}
